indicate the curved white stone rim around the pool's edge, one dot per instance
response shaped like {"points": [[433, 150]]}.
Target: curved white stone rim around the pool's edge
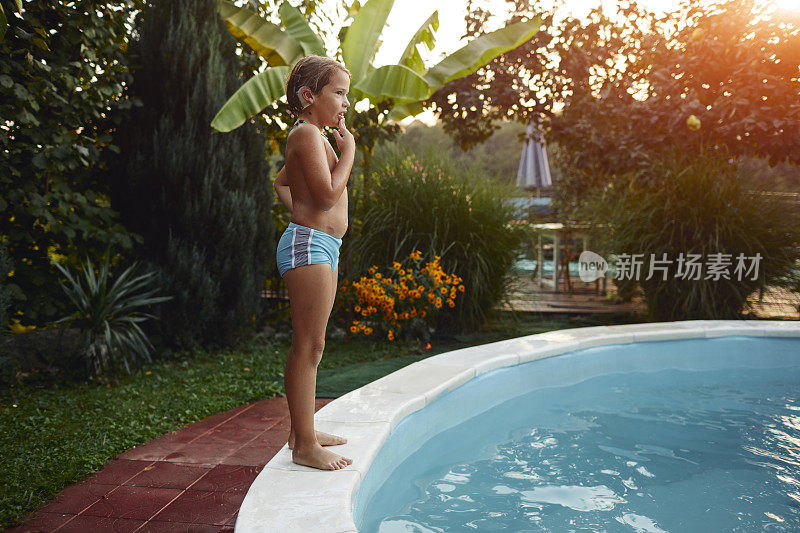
{"points": [[286, 497]]}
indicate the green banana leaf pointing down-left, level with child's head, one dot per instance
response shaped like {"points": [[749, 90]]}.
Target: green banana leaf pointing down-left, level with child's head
{"points": [[257, 93]]}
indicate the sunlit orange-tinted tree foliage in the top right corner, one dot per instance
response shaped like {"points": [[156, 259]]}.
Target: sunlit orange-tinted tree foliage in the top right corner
{"points": [[733, 64]]}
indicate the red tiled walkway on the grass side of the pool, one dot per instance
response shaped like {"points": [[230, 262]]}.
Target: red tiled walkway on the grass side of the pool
{"points": [[191, 480]]}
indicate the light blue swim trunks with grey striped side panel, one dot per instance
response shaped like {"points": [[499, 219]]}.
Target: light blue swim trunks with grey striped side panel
{"points": [[301, 245]]}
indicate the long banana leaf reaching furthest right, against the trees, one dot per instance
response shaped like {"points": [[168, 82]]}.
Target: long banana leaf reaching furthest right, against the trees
{"points": [[481, 51]]}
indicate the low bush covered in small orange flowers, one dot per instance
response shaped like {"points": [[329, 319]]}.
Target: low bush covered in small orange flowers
{"points": [[401, 301]]}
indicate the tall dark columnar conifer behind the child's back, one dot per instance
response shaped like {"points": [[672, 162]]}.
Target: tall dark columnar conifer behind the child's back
{"points": [[200, 199]]}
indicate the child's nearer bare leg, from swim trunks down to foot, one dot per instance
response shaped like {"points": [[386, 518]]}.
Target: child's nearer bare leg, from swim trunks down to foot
{"points": [[311, 290]]}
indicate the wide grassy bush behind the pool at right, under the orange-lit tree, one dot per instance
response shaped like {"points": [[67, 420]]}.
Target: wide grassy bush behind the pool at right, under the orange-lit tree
{"points": [[693, 203]]}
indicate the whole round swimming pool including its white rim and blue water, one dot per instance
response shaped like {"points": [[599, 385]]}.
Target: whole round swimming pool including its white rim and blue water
{"points": [[495, 420]]}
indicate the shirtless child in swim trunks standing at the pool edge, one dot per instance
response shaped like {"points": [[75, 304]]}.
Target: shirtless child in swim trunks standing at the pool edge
{"points": [[313, 186]]}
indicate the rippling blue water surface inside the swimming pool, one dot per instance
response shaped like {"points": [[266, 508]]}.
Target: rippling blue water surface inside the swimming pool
{"points": [[664, 451]]}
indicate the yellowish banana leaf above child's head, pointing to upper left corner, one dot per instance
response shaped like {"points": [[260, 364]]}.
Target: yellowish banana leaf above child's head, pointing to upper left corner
{"points": [[267, 39]]}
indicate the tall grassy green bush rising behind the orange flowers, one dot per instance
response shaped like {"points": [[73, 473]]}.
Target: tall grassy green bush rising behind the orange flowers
{"points": [[425, 203]]}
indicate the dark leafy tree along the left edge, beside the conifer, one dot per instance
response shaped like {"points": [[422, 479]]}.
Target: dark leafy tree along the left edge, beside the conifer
{"points": [[62, 70]]}
